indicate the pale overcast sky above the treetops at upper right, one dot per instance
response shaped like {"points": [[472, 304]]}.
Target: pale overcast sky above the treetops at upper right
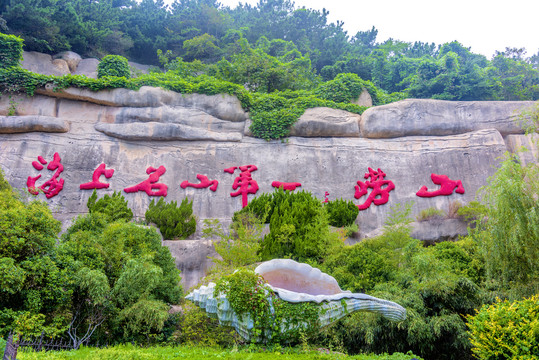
{"points": [[483, 25]]}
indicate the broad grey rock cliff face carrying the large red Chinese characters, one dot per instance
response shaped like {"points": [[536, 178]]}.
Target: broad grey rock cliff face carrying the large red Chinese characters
{"points": [[131, 131]]}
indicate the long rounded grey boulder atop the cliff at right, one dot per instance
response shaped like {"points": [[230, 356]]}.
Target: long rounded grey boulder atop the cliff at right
{"points": [[438, 117]]}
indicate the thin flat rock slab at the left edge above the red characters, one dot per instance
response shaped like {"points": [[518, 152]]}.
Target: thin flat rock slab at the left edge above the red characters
{"points": [[29, 123]]}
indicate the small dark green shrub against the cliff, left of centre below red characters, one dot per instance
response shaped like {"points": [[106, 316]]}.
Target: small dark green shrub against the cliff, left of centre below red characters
{"points": [[172, 221]]}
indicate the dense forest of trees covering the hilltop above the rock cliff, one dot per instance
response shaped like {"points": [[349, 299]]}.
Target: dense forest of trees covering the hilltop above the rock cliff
{"points": [[269, 46]]}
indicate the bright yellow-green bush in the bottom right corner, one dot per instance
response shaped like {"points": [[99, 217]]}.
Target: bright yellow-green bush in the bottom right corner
{"points": [[506, 330]]}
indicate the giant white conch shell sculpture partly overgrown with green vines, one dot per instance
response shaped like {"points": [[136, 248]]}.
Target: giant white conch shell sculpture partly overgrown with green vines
{"points": [[296, 282]]}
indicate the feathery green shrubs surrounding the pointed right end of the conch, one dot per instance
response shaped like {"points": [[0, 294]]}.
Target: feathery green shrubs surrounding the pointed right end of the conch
{"points": [[436, 285]]}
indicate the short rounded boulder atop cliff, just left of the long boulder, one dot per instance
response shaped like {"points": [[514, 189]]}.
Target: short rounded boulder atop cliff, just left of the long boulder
{"points": [[321, 122]]}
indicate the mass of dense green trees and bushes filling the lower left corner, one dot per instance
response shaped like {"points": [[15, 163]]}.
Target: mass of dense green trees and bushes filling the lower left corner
{"points": [[103, 279]]}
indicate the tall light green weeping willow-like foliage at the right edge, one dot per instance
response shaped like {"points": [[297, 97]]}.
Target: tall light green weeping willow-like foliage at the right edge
{"points": [[509, 238]]}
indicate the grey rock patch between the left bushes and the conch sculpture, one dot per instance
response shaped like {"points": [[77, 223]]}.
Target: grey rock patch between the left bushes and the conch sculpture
{"points": [[192, 259]]}
